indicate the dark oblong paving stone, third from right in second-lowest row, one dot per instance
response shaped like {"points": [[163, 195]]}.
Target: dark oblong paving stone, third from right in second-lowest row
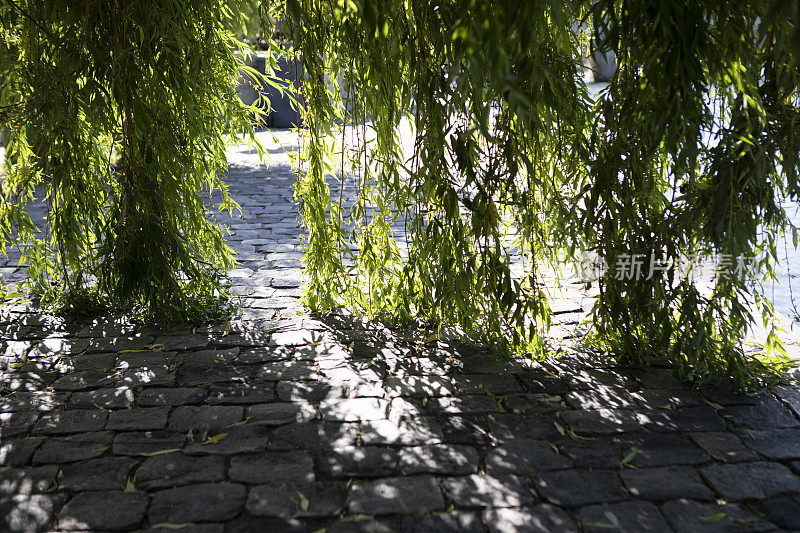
{"points": [[573, 488]]}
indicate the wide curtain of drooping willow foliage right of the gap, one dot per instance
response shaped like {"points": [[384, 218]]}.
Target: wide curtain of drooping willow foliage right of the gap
{"points": [[690, 150]]}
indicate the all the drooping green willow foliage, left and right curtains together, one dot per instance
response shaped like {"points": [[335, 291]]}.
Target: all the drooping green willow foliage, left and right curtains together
{"points": [[118, 110]]}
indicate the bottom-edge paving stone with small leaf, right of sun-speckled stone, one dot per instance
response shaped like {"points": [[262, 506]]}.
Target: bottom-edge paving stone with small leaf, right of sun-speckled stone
{"points": [[626, 517]]}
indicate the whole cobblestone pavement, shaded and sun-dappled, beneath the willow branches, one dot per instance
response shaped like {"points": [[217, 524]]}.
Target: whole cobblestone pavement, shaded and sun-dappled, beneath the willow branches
{"points": [[288, 423]]}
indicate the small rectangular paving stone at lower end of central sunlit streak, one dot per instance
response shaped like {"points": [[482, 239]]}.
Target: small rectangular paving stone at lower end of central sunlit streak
{"points": [[438, 459]]}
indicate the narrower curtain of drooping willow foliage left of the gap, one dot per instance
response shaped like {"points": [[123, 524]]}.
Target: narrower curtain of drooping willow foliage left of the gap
{"points": [[117, 112]]}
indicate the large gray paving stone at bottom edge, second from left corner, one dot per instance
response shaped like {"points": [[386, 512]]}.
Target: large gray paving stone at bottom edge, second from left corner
{"points": [[107, 510]]}
